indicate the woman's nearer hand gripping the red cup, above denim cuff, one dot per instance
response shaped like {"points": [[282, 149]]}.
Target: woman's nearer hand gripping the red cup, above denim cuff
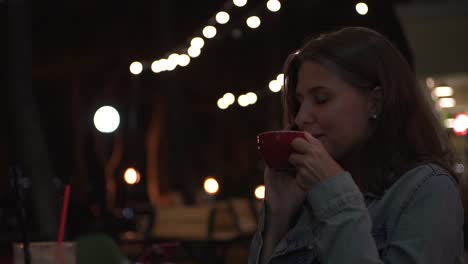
{"points": [[312, 161]]}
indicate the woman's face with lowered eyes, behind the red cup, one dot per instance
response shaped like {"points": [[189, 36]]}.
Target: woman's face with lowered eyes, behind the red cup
{"points": [[331, 110]]}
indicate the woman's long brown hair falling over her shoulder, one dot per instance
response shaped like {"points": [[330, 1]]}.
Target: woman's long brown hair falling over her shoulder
{"points": [[407, 131]]}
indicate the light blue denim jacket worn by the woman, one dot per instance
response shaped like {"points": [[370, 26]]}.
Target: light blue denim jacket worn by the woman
{"points": [[418, 220]]}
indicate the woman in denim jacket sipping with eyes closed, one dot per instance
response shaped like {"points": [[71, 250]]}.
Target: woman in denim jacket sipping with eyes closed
{"points": [[373, 180]]}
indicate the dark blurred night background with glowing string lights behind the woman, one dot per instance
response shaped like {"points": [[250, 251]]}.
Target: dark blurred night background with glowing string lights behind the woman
{"points": [[186, 86]]}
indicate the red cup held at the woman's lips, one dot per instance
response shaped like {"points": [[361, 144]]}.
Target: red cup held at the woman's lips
{"points": [[275, 147]]}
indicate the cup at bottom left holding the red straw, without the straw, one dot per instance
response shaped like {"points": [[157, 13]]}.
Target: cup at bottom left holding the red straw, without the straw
{"points": [[46, 253]]}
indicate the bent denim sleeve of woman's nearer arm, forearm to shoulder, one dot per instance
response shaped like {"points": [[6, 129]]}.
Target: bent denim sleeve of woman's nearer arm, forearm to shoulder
{"points": [[428, 229]]}
